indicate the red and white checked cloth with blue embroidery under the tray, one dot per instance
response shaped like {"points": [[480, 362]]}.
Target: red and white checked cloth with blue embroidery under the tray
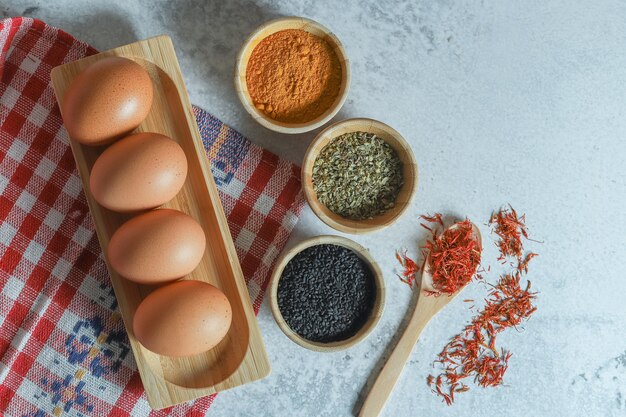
{"points": [[63, 347]]}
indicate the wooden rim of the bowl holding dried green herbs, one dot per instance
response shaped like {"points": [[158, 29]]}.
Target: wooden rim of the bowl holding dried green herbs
{"points": [[357, 226]]}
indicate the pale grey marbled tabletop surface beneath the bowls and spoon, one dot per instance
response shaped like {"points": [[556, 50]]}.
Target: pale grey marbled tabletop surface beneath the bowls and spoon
{"points": [[519, 102]]}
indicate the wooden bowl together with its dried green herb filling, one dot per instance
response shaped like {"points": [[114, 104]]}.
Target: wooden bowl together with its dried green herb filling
{"points": [[359, 175]]}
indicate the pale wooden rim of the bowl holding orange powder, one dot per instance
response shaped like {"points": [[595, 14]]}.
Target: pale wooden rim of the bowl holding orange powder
{"points": [[241, 87]]}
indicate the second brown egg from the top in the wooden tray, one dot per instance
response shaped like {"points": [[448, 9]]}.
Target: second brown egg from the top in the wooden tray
{"points": [[140, 172]]}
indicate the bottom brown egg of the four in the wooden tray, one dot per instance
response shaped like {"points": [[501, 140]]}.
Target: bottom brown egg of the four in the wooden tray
{"points": [[183, 318]]}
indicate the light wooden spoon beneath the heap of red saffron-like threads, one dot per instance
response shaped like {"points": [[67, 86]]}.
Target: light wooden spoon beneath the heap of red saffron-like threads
{"points": [[425, 310]]}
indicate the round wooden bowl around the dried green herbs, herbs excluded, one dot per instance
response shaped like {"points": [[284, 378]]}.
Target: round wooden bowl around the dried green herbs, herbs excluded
{"points": [[409, 171]]}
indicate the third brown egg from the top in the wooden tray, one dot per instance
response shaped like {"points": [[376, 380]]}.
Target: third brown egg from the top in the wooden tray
{"points": [[157, 246]]}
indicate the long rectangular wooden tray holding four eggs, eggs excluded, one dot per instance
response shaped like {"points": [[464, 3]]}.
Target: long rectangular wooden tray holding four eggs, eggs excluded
{"points": [[241, 356]]}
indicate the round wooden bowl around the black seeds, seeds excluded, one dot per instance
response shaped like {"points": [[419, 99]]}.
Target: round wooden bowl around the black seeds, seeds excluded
{"points": [[379, 302]]}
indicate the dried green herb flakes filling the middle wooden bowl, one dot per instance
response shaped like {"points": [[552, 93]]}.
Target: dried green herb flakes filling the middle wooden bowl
{"points": [[357, 176]]}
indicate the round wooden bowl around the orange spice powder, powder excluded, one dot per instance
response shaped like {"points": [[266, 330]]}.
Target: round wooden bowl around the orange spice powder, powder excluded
{"points": [[270, 28]]}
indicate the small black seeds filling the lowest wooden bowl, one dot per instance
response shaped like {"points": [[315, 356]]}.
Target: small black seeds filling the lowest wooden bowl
{"points": [[326, 293]]}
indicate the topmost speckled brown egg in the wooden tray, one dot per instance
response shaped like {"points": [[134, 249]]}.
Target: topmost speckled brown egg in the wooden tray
{"points": [[108, 99]]}
